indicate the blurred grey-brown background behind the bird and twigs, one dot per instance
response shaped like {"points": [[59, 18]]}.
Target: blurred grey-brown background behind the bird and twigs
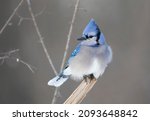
{"points": [[125, 24]]}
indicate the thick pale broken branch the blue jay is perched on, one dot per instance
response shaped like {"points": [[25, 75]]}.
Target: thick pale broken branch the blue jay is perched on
{"points": [[80, 92]]}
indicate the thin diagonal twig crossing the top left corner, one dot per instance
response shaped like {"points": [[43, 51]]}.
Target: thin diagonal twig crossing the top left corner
{"points": [[11, 16]]}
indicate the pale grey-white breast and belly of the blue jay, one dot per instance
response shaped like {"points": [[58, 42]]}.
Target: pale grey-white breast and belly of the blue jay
{"points": [[90, 61]]}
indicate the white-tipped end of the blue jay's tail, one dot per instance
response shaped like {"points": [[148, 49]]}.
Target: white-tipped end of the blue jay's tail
{"points": [[57, 81]]}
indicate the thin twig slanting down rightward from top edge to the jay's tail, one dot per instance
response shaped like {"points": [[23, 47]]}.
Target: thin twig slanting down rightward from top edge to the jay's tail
{"points": [[40, 36]]}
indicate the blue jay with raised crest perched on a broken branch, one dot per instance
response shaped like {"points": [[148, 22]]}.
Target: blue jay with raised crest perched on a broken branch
{"points": [[89, 59]]}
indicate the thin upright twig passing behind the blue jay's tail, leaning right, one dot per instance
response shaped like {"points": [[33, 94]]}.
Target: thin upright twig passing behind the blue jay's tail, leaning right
{"points": [[56, 93]]}
